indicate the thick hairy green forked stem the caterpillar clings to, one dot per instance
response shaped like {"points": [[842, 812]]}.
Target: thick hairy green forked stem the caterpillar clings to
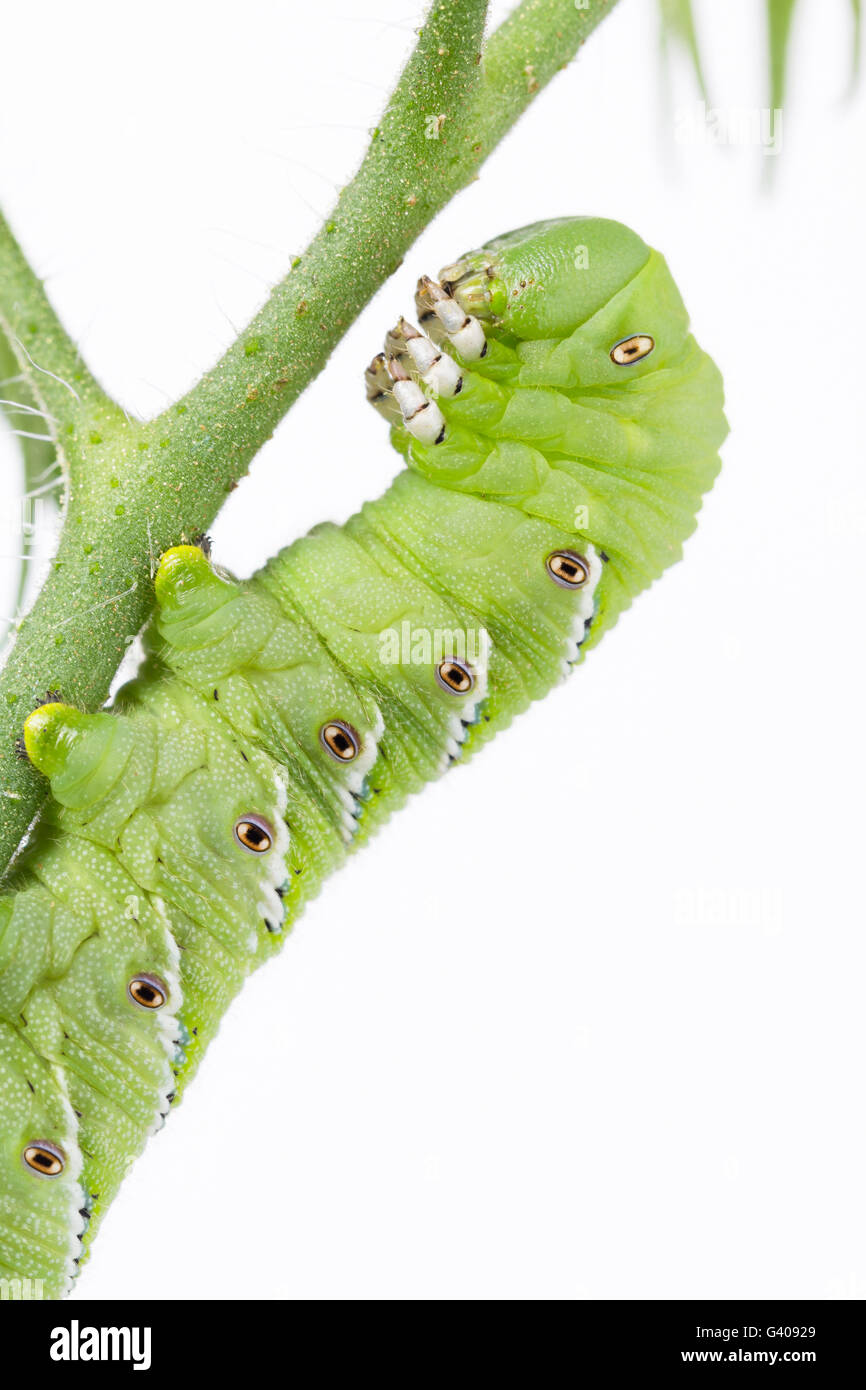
{"points": [[138, 489]]}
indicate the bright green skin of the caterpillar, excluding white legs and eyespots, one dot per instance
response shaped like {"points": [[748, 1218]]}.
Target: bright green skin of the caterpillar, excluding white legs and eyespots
{"points": [[137, 867]]}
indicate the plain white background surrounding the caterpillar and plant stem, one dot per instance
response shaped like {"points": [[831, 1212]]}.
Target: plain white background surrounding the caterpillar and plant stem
{"points": [[587, 1020]]}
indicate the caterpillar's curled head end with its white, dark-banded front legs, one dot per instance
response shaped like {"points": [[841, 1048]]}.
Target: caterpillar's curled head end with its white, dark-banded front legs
{"points": [[554, 369]]}
